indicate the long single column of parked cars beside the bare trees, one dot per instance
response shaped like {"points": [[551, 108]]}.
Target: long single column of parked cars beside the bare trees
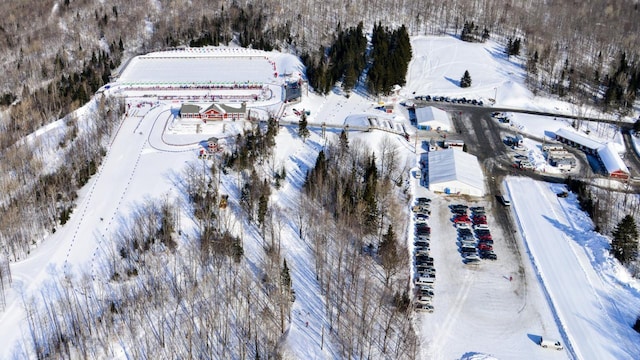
{"points": [[425, 276]]}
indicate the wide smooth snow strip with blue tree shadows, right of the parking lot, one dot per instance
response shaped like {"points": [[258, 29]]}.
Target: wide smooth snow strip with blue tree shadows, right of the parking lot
{"points": [[593, 310]]}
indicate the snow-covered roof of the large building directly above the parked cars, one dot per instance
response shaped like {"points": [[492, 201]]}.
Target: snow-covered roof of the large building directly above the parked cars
{"points": [[453, 165]]}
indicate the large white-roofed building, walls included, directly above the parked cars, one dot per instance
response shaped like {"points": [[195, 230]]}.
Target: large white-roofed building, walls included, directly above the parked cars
{"points": [[455, 172]]}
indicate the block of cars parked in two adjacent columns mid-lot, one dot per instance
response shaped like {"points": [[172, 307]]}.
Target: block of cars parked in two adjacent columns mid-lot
{"points": [[474, 236]]}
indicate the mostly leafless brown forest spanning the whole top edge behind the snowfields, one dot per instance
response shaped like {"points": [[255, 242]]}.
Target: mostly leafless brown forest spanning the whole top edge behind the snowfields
{"points": [[588, 36]]}
